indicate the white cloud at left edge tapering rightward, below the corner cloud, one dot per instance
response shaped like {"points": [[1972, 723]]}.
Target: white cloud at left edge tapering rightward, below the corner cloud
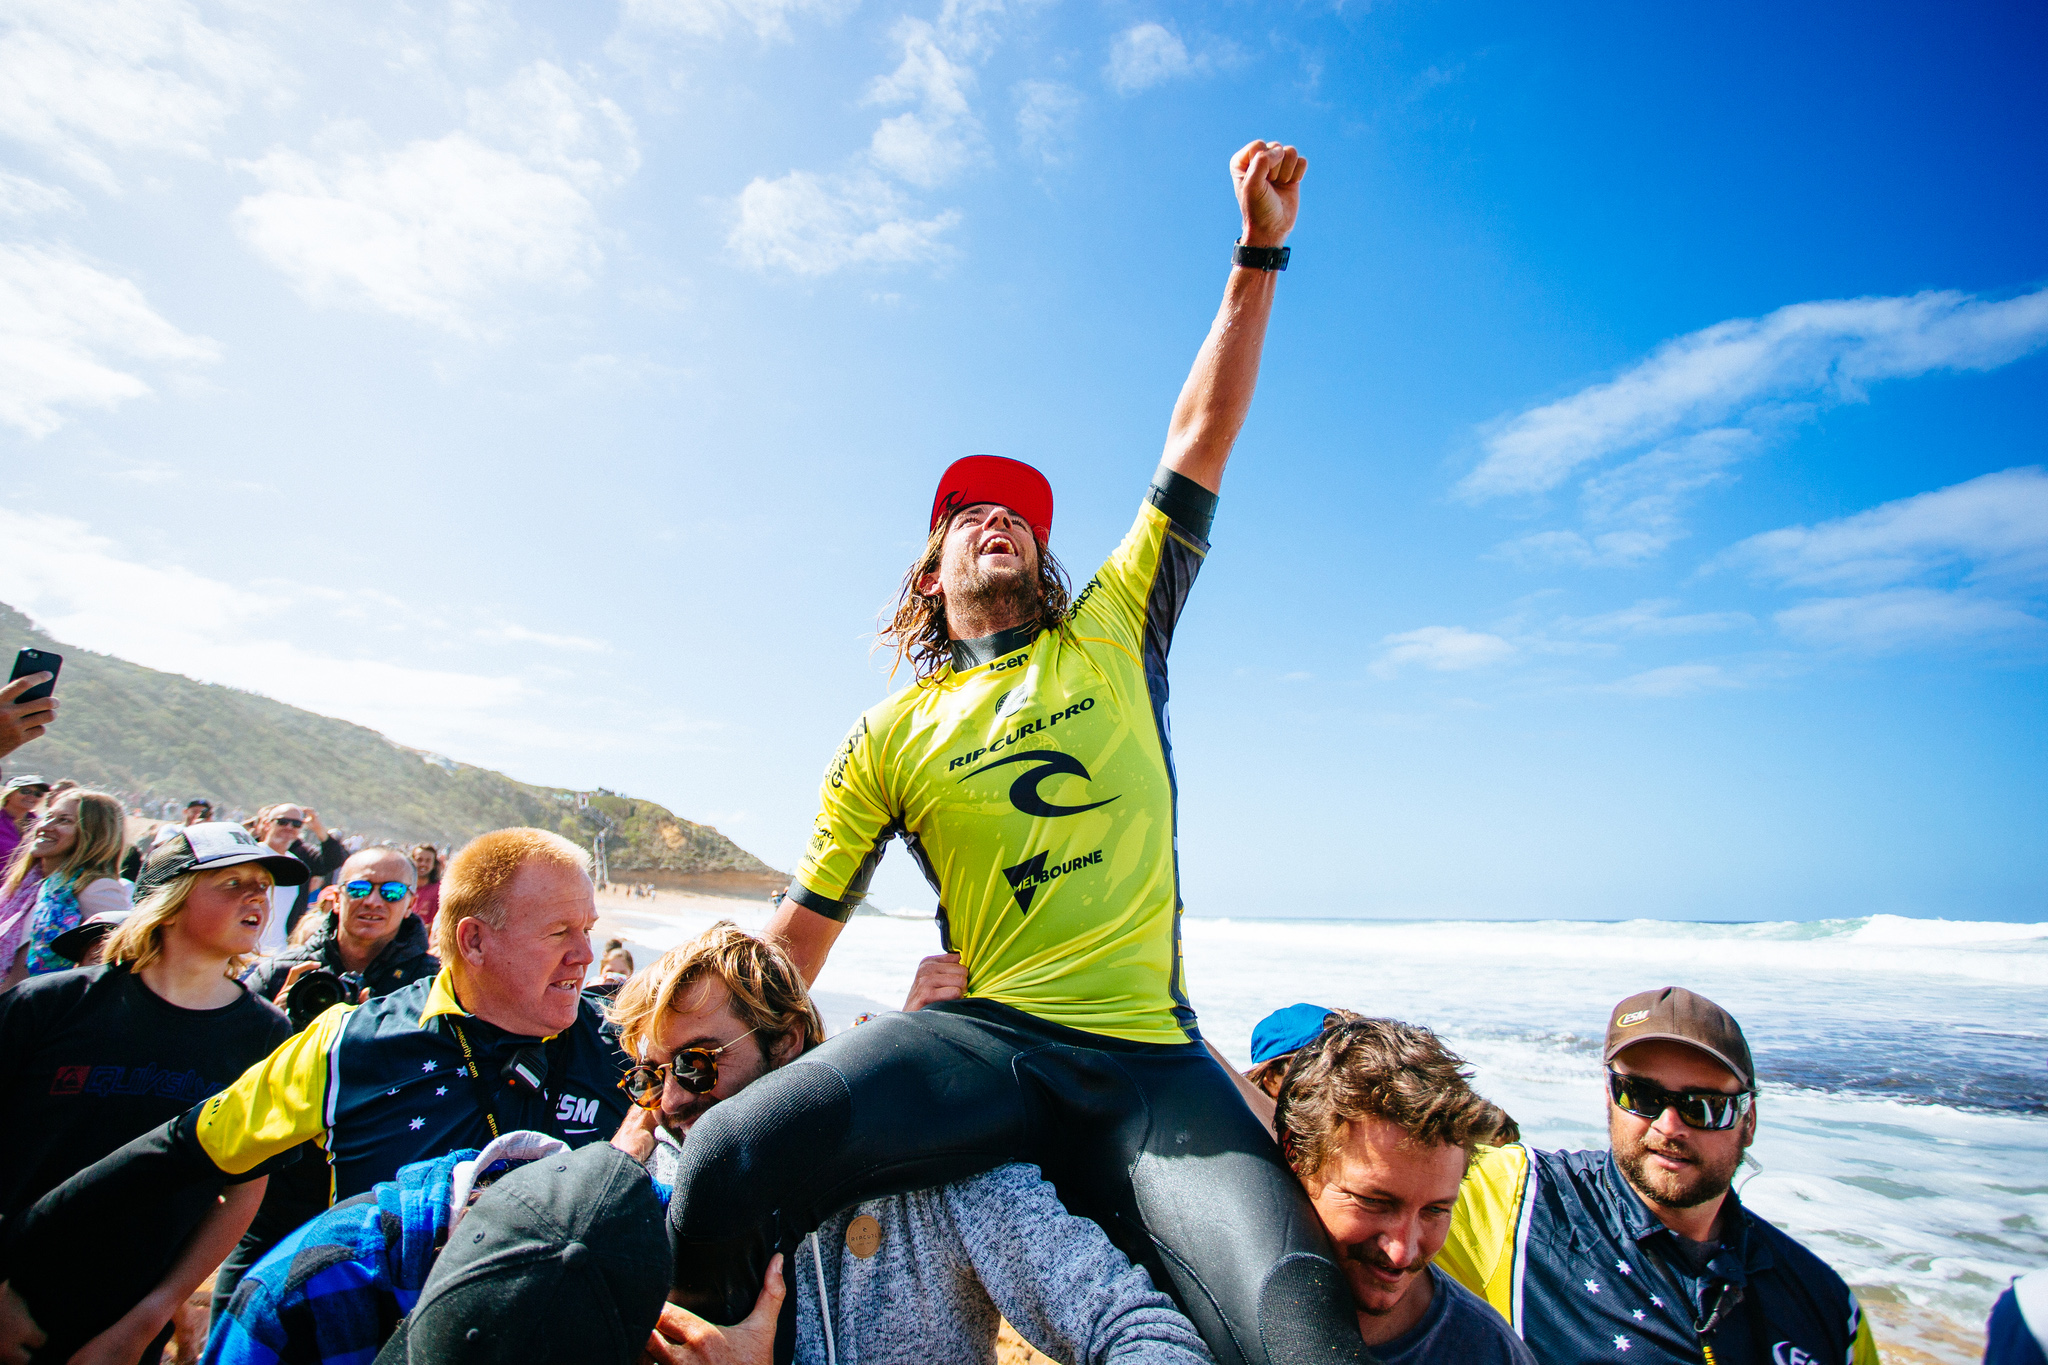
{"points": [[69, 333]]}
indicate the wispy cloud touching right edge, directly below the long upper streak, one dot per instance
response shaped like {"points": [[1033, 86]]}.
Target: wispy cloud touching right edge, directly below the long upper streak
{"points": [[1994, 527]]}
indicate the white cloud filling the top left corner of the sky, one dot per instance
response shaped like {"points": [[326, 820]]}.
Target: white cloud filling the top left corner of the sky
{"points": [[79, 81]]}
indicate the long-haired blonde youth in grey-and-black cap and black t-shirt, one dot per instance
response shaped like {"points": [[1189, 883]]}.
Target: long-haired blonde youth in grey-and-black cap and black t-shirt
{"points": [[95, 1057]]}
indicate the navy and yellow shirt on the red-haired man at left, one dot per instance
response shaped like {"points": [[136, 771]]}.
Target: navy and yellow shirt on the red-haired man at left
{"points": [[396, 1082]]}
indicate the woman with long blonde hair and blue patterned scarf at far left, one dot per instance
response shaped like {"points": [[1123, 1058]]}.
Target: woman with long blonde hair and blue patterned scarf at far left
{"points": [[77, 846]]}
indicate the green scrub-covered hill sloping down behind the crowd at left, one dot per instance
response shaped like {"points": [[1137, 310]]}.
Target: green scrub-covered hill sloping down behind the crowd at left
{"points": [[155, 736]]}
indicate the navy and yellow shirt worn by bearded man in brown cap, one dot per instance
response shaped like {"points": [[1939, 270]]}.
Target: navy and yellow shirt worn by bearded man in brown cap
{"points": [[1568, 1251]]}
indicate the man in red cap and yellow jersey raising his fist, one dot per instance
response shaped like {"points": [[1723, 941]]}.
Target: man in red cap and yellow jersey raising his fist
{"points": [[1031, 777]]}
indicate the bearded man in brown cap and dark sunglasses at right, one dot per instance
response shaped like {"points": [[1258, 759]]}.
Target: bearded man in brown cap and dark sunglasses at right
{"points": [[1646, 1251]]}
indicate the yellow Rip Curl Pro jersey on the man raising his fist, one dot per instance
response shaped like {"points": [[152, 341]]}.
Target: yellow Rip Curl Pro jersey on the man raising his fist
{"points": [[1033, 781]]}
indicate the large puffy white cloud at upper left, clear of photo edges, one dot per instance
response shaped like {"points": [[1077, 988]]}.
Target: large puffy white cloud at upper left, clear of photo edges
{"points": [[441, 230]]}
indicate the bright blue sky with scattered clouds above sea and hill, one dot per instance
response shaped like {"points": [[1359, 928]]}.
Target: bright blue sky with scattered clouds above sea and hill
{"points": [[1644, 511]]}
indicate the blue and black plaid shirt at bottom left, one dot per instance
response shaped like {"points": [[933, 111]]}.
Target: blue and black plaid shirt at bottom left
{"points": [[337, 1288]]}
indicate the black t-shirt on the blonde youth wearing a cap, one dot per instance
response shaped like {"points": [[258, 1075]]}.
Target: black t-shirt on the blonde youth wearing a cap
{"points": [[93, 1059]]}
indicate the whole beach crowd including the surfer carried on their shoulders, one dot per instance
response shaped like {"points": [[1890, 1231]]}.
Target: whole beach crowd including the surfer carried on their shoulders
{"points": [[404, 1112]]}
